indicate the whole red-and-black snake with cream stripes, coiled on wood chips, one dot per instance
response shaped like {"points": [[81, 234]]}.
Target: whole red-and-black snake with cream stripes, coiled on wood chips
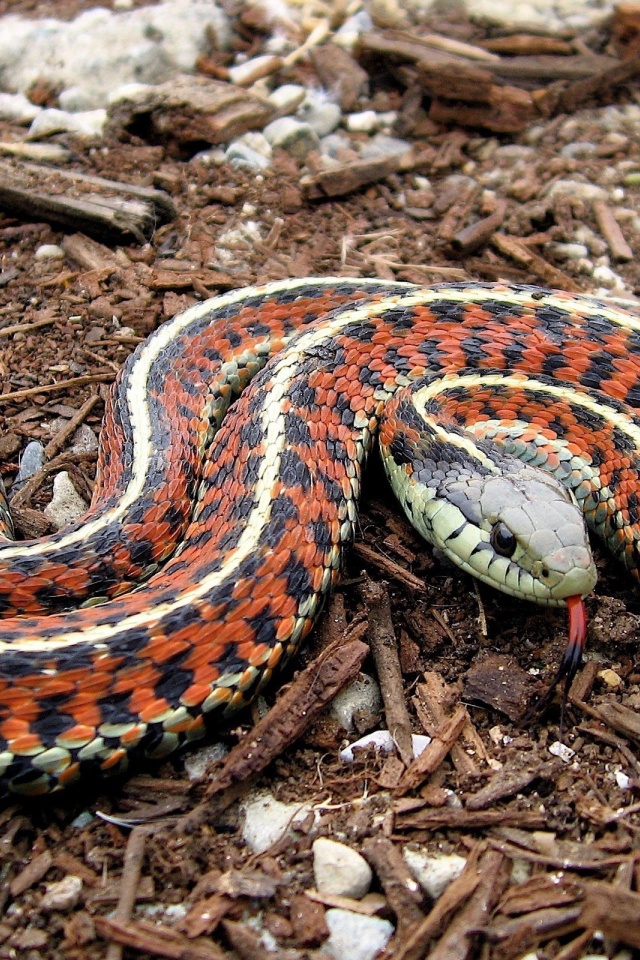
{"points": [[236, 520]]}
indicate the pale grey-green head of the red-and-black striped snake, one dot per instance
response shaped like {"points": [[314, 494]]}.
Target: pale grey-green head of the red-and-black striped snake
{"points": [[510, 524]]}
